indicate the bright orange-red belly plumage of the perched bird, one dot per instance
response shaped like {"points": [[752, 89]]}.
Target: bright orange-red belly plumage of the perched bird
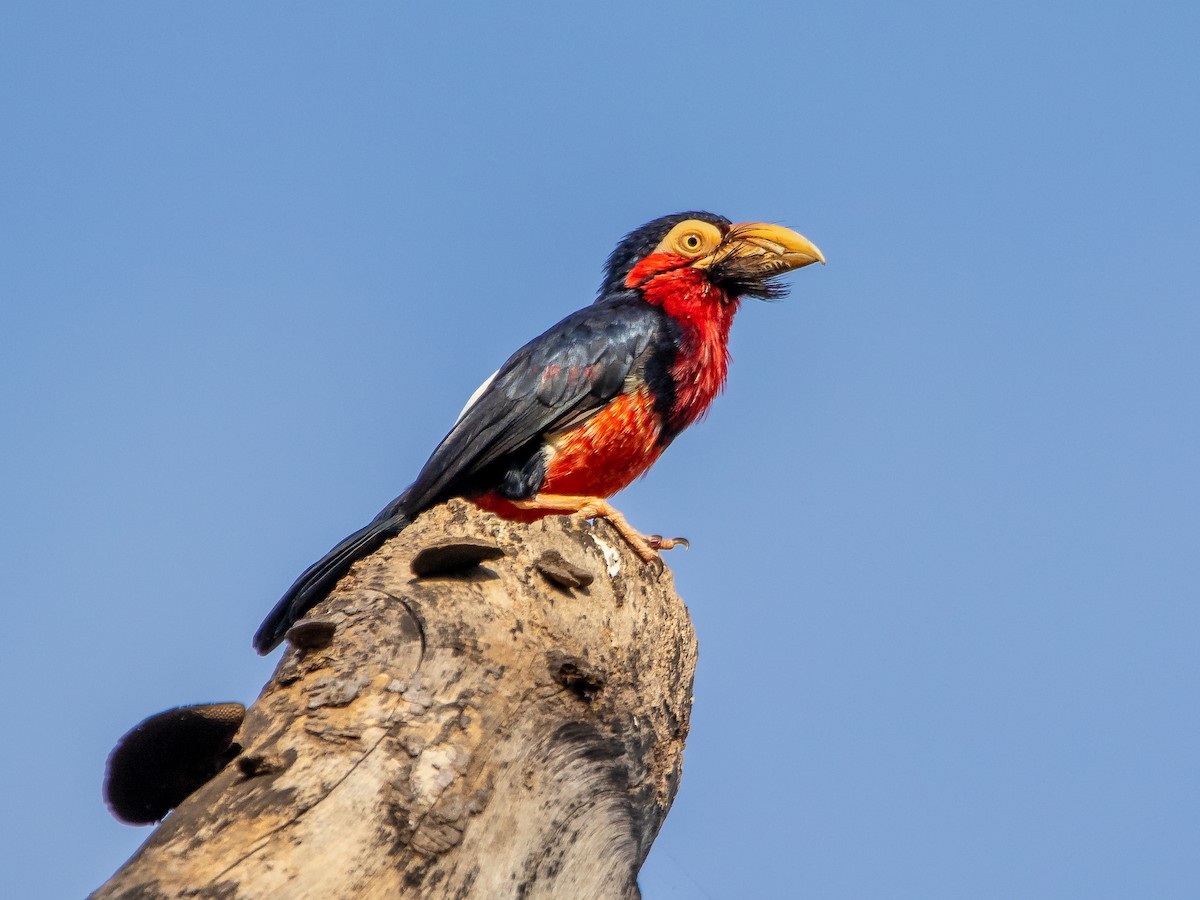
{"points": [[599, 458]]}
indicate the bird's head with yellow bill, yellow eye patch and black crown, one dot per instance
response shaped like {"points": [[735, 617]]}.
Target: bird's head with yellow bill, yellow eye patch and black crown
{"points": [[703, 250]]}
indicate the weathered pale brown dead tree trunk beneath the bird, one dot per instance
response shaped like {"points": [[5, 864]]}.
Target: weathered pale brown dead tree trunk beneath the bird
{"points": [[487, 733]]}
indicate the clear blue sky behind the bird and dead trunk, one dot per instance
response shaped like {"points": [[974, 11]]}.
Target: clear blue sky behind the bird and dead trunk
{"points": [[945, 520]]}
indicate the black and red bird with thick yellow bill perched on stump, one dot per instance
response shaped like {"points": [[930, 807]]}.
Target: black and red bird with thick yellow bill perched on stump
{"points": [[589, 406]]}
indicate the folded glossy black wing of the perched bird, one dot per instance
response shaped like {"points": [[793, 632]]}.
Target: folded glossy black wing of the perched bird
{"points": [[557, 381]]}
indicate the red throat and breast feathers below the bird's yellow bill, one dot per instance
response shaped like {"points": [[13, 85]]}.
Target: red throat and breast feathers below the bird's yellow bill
{"points": [[706, 314]]}
